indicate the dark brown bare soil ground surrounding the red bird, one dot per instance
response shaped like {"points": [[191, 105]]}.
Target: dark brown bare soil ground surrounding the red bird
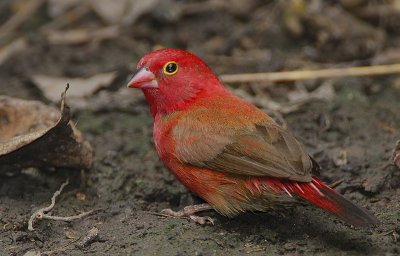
{"points": [[351, 135]]}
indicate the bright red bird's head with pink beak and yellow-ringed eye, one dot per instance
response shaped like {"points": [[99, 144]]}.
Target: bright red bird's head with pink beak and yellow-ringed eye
{"points": [[172, 79]]}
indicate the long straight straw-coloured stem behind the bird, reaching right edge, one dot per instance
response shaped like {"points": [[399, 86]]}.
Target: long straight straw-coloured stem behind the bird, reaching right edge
{"points": [[312, 74]]}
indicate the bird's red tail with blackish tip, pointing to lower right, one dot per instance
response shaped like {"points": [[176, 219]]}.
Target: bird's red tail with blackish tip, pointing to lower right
{"points": [[328, 199]]}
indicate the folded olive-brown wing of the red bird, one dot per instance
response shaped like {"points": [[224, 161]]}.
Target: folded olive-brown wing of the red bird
{"points": [[254, 149]]}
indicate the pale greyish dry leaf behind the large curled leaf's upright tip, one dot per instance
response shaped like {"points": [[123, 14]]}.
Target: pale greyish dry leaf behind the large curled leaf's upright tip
{"points": [[80, 87]]}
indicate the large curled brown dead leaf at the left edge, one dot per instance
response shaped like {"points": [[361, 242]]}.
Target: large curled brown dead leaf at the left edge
{"points": [[35, 135]]}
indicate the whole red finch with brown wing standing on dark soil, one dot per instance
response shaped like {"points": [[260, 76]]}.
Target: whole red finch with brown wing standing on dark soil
{"points": [[225, 149]]}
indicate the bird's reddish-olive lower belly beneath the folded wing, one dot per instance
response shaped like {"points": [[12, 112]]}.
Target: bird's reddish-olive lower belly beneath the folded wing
{"points": [[228, 195]]}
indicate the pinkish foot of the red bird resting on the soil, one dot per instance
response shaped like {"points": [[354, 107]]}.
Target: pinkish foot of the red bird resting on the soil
{"points": [[189, 211]]}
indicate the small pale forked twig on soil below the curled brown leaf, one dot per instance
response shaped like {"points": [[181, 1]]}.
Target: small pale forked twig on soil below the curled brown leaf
{"points": [[43, 212]]}
